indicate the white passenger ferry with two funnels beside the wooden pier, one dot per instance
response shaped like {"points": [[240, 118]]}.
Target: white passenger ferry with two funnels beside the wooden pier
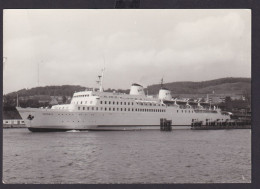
{"points": [[99, 110]]}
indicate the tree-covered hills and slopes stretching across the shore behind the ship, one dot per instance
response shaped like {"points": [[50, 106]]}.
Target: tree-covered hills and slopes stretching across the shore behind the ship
{"points": [[41, 96]]}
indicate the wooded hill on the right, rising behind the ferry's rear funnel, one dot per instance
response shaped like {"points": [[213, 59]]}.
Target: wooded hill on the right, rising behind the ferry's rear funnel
{"points": [[217, 86]]}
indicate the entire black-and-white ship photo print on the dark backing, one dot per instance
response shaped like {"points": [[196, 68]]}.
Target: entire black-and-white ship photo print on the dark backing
{"points": [[133, 96]]}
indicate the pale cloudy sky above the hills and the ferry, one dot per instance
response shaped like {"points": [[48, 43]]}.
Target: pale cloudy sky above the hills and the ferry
{"points": [[70, 47]]}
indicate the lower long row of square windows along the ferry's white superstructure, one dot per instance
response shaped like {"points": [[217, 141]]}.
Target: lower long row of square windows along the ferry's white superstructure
{"points": [[121, 109]]}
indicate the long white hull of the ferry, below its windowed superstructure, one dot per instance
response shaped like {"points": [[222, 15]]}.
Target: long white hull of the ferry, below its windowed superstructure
{"points": [[62, 120]]}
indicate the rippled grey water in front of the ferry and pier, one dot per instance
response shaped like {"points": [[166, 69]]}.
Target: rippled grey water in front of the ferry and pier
{"points": [[180, 156]]}
